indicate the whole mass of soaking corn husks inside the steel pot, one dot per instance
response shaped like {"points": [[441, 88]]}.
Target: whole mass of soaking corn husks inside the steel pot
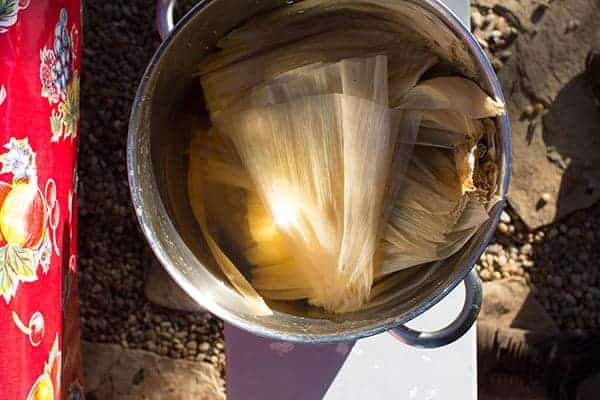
{"points": [[312, 140]]}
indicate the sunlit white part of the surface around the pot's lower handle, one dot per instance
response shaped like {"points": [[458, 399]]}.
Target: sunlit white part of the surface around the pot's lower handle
{"points": [[382, 368]]}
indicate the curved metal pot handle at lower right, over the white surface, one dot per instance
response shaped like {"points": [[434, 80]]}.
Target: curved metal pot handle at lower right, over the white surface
{"points": [[452, 332]]}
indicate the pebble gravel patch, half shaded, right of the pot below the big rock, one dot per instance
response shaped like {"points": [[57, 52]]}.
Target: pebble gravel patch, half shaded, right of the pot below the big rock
{"points": [[559, 262]]}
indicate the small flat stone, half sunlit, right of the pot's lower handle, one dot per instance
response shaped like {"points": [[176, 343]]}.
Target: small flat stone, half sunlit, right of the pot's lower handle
{"points": [[510, 303]]}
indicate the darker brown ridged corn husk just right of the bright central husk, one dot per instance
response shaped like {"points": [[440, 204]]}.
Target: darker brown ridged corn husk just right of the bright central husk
{"points": [[431, 219]]}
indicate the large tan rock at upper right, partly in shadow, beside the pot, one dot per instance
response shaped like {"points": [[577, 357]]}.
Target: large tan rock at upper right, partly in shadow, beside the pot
{"points": [[557, 154]]}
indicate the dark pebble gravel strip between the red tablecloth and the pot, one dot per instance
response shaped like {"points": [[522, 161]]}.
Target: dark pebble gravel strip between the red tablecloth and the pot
{"points": [[119, 41]]}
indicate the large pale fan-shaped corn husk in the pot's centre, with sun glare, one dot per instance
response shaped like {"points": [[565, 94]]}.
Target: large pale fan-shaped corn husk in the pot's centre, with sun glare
{"points": [[305, 152]]}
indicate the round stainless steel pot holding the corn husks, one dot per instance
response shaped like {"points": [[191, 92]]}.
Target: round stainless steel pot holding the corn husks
{"points": [[168, 106]]}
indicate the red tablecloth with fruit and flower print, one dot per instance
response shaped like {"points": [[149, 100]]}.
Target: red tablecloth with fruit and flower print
{"points": [[40, 58]]}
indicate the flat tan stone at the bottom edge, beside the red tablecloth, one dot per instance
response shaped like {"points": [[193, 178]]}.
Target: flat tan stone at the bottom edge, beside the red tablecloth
{"points": [[112, 372]]}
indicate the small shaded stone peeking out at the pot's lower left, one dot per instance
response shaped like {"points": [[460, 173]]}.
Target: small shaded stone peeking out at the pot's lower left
{"points": [[161, 289]]}
